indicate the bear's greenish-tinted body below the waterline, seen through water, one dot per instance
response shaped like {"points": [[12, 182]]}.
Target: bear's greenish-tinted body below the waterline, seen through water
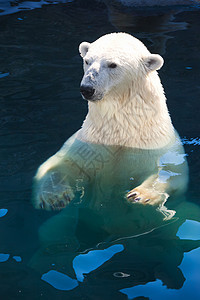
{"points": [[92, 181]]}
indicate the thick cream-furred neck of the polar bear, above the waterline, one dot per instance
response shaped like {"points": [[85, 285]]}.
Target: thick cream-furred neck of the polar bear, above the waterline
{"points": [[131, 120]]}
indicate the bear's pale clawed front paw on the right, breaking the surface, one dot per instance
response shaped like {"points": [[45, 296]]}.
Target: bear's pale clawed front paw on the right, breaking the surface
{"points": [[145, 195]]}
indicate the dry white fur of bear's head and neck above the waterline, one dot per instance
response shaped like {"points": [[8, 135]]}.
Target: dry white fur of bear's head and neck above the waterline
{"points": [[130, 107]]}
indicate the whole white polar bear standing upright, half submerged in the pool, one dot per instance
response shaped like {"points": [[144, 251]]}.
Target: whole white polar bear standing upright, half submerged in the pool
{"points": [[127, 151]]}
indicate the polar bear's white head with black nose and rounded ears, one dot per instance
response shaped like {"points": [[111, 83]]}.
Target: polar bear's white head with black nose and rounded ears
{"points": [[114, 64]]}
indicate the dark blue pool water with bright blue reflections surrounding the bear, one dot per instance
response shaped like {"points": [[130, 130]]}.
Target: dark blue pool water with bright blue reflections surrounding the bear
{"points": [[40, 71]]}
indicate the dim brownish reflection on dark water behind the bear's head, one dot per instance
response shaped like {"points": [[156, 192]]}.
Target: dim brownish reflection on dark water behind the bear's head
{"points": [[150, 25]]}
